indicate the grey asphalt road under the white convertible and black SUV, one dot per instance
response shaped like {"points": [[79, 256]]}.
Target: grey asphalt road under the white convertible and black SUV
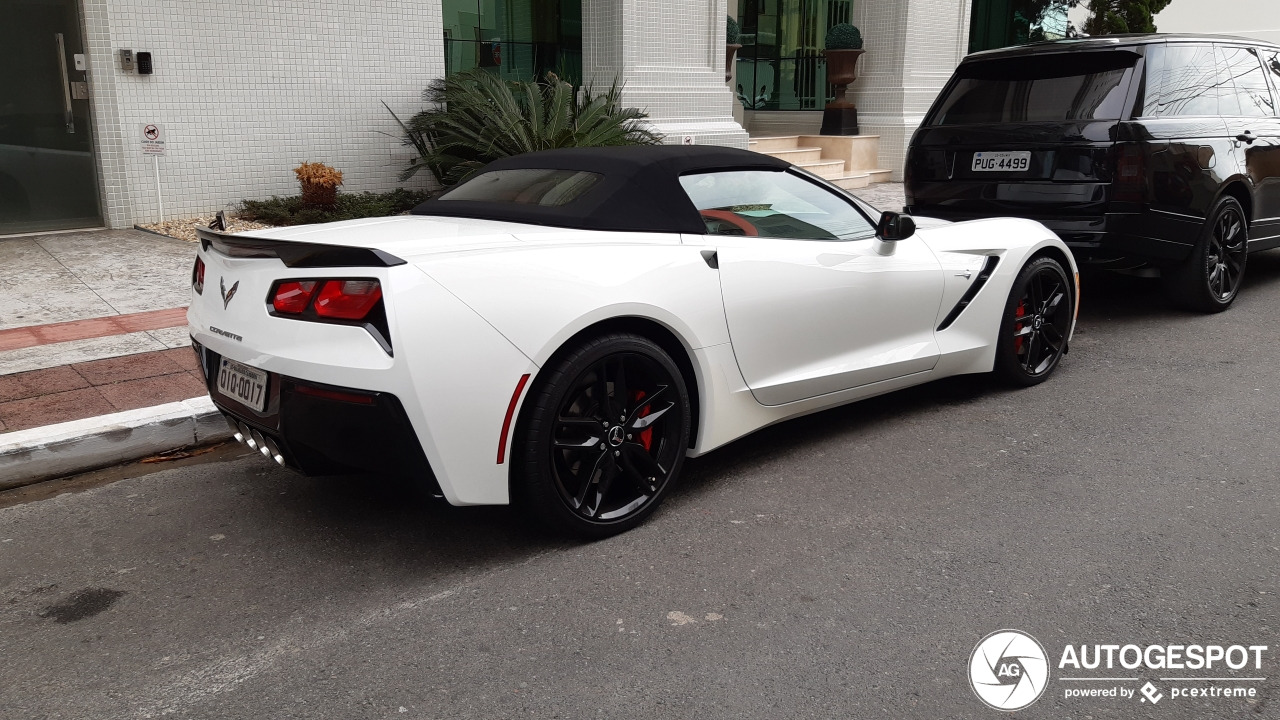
{"points": [[843, 566]]}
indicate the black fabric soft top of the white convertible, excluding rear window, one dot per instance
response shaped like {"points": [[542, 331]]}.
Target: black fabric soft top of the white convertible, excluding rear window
{"points": [[639, 190]]}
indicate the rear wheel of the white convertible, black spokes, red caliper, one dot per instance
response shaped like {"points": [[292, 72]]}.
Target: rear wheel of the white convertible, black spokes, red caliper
{"points": [[595, 454]]}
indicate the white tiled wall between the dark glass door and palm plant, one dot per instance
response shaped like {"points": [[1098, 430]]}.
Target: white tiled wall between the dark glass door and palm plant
{"points": [[246, 90]]}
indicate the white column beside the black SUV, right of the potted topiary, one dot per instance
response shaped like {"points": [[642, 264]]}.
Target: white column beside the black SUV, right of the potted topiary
{"points": [[912, 47]]}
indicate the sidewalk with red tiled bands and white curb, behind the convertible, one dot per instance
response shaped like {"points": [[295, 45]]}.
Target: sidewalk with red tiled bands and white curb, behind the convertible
{"points": [[95, 361]]}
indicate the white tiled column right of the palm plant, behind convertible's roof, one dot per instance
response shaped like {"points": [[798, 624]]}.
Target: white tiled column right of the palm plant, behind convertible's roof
{"points": [[670, 61]]}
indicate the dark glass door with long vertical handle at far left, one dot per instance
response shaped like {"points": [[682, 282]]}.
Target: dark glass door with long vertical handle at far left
{"points": [[48, 177]]}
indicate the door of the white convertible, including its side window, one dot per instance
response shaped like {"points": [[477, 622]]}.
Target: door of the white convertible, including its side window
{"points": [[812, 307]]}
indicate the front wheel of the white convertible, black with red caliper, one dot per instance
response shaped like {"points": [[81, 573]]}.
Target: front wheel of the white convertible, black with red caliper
{"points": [[1036, 323]]}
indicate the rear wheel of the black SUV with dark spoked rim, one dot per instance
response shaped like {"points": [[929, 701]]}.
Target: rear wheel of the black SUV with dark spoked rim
{"points": [[1210, 279]]}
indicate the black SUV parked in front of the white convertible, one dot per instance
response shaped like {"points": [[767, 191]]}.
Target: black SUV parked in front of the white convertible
{"points": [[1139, 151]]}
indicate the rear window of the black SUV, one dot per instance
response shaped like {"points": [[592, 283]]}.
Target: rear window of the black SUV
{"points": [[1060, 88]]}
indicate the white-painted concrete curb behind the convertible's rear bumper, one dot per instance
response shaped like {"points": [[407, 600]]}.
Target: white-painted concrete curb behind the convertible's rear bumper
{"points": [[67, 449]]}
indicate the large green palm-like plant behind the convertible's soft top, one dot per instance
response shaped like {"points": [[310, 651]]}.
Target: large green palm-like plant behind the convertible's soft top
{"points": [[476, 117]]}
